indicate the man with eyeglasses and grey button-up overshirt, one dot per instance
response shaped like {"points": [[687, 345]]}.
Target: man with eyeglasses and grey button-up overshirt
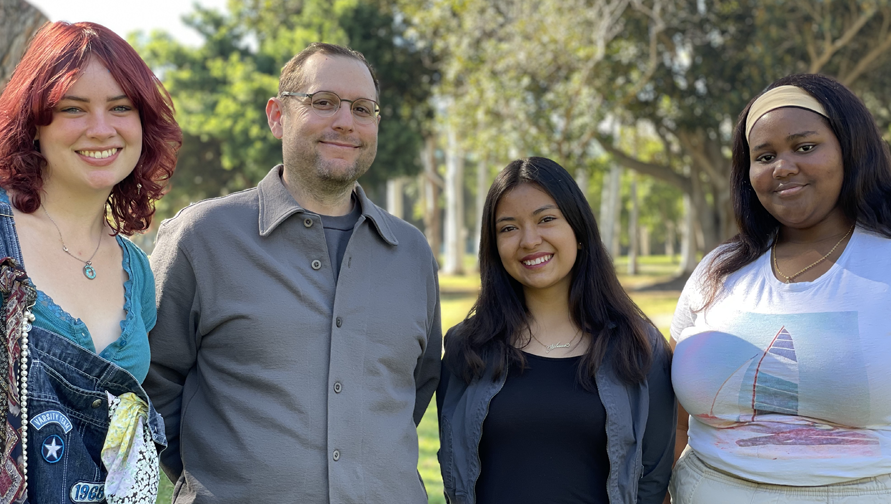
{"points": [[298, 337]]}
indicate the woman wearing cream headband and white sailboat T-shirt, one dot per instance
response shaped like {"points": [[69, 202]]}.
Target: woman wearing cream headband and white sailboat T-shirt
{"points": [[782, 334]]}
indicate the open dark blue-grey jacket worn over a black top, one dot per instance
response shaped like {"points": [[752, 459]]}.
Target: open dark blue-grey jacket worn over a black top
{"points": [[640, 429]]}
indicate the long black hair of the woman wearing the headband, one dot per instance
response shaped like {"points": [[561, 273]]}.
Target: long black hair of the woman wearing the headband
{"points": [[865, 196]]}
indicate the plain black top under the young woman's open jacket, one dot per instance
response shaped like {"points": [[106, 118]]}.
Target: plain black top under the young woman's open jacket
{"points": [[544, 438]]}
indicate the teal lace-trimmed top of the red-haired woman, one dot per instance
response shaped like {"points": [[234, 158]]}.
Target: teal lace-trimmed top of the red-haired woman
{"points": [[131, 350]]}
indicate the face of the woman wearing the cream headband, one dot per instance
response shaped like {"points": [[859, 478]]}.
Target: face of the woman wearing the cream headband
{"points": [[796, 167]]}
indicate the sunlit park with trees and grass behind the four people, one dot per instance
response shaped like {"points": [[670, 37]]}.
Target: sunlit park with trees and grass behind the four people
{"points": [[636, 98]]}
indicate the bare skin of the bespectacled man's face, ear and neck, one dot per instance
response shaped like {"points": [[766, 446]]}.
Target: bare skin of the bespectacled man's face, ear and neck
{"points": [[324, 156]]}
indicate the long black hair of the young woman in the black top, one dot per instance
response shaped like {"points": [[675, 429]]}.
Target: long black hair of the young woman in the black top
{"points": [[598, 303]]}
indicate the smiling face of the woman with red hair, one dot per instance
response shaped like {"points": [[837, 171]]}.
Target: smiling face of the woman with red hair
{"points": [[95, 138]]}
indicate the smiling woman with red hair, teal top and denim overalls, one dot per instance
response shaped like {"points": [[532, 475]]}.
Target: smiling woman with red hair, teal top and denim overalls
{"points": [[88, 141]]}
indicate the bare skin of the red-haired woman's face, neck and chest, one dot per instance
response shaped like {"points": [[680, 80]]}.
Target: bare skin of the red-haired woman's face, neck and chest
{"points": [[92, 143]]}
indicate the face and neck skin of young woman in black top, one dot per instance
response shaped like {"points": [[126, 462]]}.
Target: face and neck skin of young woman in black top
{"points": [[538, 249]]}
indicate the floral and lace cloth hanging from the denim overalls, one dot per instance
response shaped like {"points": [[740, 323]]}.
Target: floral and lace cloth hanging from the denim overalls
{"points": [[129, 453]]}
